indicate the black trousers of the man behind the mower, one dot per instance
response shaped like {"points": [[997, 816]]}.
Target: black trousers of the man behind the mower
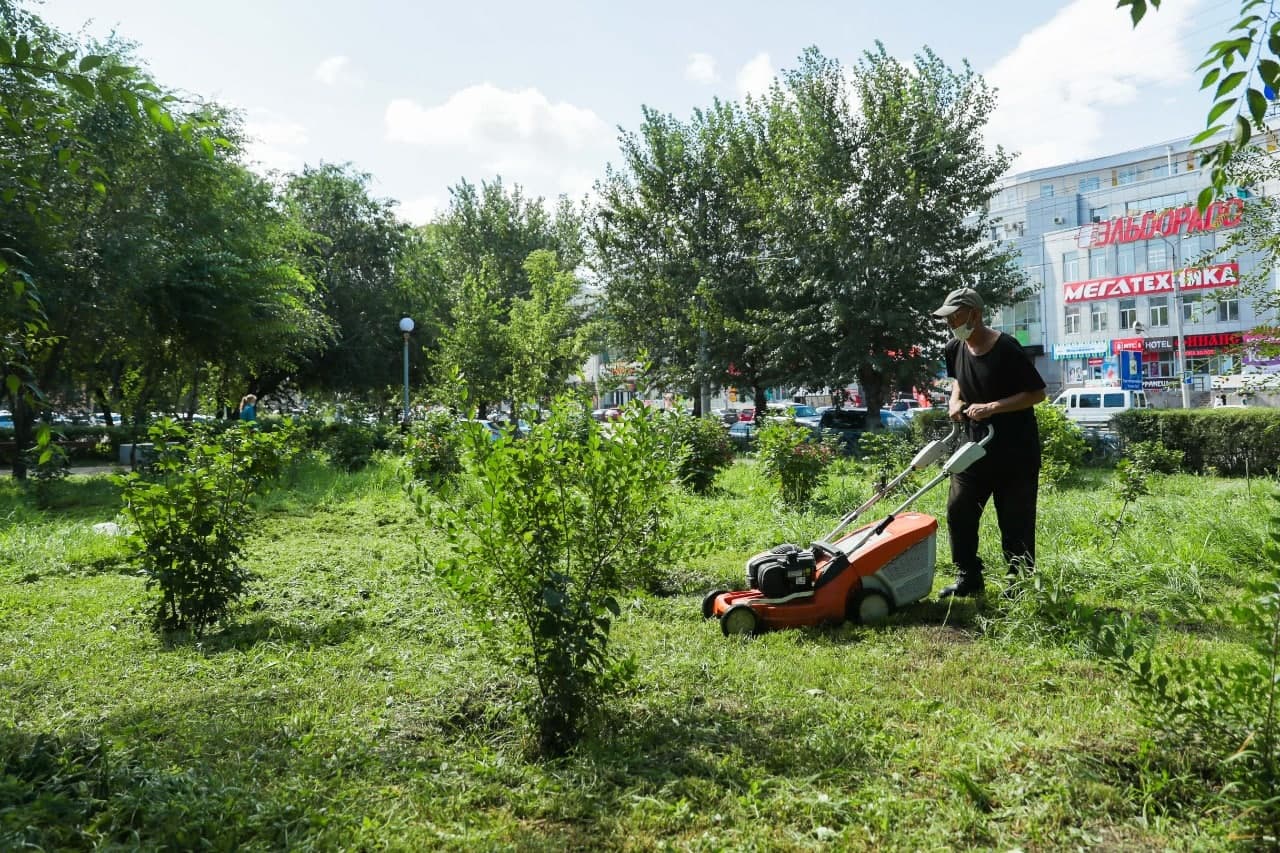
{"points": [[1014, 490]]}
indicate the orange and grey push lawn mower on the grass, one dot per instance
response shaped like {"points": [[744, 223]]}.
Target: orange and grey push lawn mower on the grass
{"points": [[863, 576]]}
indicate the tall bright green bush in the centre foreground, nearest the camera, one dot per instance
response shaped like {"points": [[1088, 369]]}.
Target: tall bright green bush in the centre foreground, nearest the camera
{"points": [[560, 526]]}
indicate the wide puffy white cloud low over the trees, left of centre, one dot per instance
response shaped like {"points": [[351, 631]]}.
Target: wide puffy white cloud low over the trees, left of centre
{"points": [[520, 135]]}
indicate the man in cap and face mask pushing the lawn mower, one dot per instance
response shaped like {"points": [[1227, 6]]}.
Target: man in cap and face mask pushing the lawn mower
{"points": [[994, 384]]}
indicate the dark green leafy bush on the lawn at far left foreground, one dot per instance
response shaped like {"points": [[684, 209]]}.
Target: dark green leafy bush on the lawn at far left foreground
{"points": [[190, 516]]}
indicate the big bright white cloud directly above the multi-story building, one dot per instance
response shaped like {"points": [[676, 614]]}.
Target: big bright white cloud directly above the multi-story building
{"points": [[1057, 85]]}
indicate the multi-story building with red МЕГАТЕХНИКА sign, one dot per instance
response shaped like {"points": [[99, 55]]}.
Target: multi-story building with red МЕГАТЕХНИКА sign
{"points": [[1103, 241]]}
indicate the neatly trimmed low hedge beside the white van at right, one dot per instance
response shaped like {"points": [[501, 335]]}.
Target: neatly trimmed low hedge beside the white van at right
{"points": [[1231, 441]]}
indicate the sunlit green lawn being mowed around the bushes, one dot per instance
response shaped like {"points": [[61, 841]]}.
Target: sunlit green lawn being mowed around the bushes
{"points": [[350, 708]]}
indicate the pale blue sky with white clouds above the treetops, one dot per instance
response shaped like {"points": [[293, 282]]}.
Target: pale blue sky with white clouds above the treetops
{"points": [[423, 94]]}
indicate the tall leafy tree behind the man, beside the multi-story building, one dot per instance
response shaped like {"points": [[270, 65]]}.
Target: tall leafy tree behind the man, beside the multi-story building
{"points": [[877, 181]]}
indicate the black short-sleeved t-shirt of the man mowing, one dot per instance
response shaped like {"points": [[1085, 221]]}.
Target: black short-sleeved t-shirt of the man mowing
{"points": [[1002, 372]]}
